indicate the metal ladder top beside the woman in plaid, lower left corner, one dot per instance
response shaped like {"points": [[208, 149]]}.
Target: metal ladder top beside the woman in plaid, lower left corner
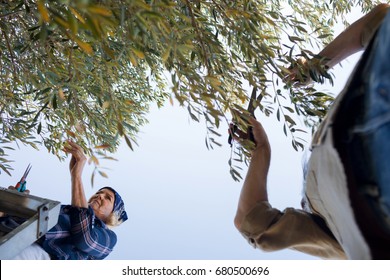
{"points": [[40, 215]]}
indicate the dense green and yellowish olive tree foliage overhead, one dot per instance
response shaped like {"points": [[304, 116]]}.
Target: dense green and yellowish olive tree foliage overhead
{"points": [[89, 69]]}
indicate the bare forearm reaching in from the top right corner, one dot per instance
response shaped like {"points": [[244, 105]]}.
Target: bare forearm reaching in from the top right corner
{"points": [[355, 37]]}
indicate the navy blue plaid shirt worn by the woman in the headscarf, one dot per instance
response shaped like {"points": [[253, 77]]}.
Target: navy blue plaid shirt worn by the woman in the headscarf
{"points": [[78, 235]]}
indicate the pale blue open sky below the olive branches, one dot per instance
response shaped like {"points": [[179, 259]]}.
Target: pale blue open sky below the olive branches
{"points": [[179, 196]]}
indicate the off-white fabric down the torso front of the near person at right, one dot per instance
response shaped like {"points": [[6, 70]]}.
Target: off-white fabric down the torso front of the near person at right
{"points": [[327, 189]]}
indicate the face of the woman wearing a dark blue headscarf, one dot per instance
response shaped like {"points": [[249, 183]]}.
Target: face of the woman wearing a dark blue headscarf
{"points": [[102, 203]]}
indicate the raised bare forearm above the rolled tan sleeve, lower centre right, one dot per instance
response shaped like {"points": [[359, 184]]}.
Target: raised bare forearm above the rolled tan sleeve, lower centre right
{"points": [[255, 185]]}
